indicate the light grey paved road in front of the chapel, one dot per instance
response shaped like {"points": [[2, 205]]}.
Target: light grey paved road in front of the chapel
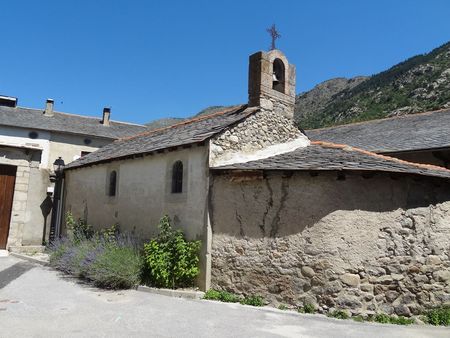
{"points": [[38, 302]]}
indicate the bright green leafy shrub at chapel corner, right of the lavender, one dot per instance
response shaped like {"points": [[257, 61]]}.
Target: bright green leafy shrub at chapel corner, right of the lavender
{"points": [[170, 260]]}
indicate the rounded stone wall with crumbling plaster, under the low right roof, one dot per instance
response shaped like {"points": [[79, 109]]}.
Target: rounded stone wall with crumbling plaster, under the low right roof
{"points": [[366, 245]]}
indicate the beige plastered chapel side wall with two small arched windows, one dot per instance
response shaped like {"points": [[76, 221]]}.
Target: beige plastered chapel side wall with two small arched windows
{"points": [[144, 194]]}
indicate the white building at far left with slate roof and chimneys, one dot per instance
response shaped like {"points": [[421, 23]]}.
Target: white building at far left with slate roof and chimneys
{"points": [[30, 142]]}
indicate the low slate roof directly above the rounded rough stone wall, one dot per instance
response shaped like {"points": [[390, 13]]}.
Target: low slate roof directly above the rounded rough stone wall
{"points": [[329, 156]]}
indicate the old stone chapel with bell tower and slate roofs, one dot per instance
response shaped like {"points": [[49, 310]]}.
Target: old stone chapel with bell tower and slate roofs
{"points": [[294, 220]]}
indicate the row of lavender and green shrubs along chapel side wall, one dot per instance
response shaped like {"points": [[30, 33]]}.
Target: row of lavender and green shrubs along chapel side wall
{"points": [[111, 259]]}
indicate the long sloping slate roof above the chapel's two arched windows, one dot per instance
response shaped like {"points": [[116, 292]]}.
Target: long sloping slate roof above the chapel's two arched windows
{"points": [[187, 132]]}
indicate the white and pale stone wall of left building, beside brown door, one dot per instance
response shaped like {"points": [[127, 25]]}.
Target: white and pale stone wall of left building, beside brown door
{"points": [[31, 213]]}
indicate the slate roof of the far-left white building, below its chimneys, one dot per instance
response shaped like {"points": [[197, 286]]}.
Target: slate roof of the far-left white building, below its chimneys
{"points": [[65, 123]]}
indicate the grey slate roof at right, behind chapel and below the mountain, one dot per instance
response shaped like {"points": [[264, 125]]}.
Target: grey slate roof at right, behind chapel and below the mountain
{"points": [[420, 131]]}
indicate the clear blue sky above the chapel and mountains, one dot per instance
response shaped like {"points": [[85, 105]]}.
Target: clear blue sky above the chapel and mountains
{"points": [[152, 59]]}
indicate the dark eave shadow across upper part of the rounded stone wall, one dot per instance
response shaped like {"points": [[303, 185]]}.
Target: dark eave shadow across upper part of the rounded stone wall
{"points": [[280, 204]]}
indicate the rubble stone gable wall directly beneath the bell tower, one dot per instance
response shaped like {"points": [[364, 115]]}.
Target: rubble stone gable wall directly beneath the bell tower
{"points": [[258, 131]]}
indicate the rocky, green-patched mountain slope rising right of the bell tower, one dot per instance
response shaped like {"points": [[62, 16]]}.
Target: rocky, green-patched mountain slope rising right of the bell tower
{"points": [[418, 84]]}
